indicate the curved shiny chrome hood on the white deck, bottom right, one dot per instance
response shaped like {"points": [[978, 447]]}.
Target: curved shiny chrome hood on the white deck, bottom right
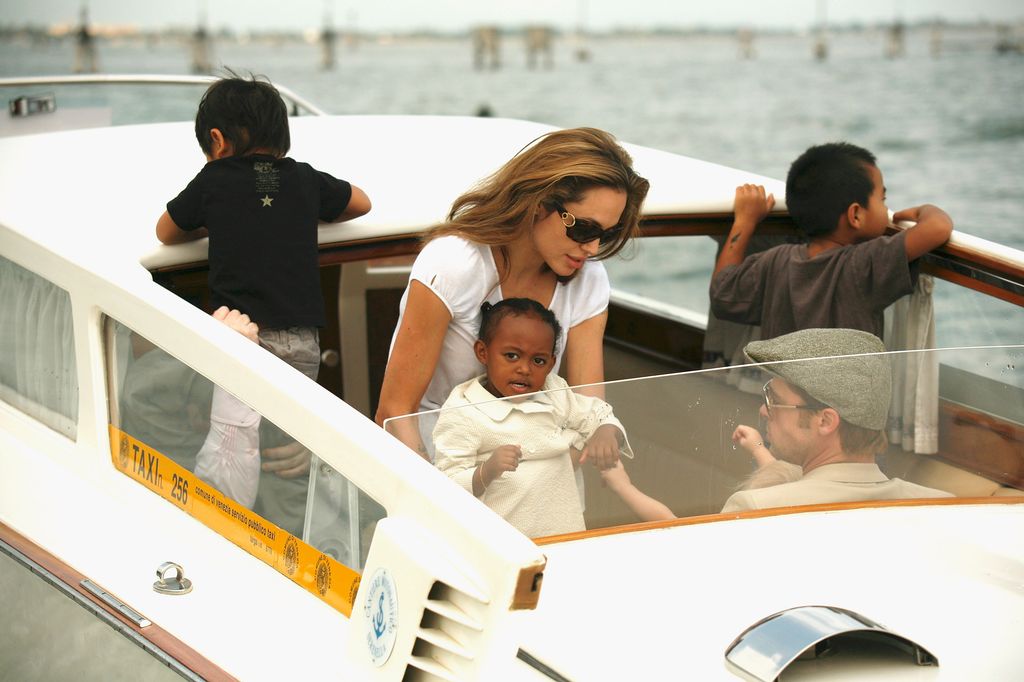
{"points": [[767, 648]]}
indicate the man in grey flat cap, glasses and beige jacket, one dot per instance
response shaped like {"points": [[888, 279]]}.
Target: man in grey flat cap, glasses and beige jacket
{"points": [[828, 417]]}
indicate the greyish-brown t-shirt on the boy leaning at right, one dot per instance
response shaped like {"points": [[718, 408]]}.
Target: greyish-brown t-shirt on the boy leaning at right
{"points": [[785, 291]]}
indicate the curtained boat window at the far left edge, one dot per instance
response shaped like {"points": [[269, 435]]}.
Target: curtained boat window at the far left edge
{"points": [[38, 374]]}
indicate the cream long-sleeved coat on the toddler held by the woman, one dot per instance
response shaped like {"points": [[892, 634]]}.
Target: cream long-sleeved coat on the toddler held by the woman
{"points": [[540, 498]]}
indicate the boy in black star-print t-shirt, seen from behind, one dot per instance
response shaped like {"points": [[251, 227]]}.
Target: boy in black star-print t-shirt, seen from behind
{"points": [[262, 211]]}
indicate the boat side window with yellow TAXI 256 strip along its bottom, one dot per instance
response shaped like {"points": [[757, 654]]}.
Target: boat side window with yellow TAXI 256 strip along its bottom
{"points": [[207, 452]]}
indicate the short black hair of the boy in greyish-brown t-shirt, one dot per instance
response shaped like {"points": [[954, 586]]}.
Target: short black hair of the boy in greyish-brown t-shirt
{"points": [[825, 182]]}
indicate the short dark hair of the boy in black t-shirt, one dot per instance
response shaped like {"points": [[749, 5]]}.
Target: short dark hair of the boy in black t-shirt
{"points": [[249, 113]]}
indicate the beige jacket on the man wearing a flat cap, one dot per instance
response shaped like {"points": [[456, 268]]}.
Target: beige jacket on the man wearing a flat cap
{"points": [[833, 483]]}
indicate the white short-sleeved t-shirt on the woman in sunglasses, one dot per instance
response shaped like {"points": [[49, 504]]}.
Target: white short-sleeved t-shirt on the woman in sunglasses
{"points": [[463, 275]]}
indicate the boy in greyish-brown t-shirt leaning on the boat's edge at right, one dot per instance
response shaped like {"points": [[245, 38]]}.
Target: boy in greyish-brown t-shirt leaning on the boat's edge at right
{"points": [[847, 273]]}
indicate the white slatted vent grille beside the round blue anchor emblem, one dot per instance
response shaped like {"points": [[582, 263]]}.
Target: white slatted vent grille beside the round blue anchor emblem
{"points": [[449, 636]]}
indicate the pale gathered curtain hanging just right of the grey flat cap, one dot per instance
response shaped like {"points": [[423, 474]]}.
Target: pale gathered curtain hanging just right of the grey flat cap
{"points": [[914, 414]]}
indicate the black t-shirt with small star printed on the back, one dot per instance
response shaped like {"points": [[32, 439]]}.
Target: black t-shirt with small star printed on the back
{"points": [[263, 216]]}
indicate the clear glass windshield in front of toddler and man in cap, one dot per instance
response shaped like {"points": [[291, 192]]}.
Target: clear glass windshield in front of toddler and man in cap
{"points": [[704, 443]]}
